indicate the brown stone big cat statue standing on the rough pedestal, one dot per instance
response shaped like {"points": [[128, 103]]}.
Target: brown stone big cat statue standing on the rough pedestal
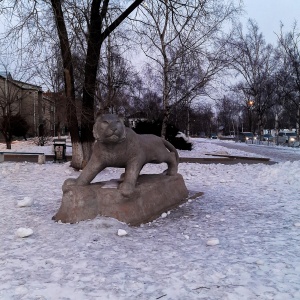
{"points": [[119, 146]]}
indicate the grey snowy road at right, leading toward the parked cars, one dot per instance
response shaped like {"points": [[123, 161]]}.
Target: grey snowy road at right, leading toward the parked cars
{"points": [[275, 153]]}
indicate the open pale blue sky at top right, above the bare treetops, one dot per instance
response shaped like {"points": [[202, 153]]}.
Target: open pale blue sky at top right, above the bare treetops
{"points": [[269, 13]]}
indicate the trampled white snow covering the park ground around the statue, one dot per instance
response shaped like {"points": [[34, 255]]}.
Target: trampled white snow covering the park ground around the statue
{"points": [[253, 211]]}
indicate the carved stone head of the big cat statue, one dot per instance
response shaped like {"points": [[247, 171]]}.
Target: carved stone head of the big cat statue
{"points": [[109, 129]]}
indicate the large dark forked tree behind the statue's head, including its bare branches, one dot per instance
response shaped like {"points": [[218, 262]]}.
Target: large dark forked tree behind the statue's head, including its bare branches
{"points": [[88, 20]]}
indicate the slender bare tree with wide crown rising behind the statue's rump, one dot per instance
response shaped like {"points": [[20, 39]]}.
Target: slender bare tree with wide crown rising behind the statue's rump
{"points": [[181, 43]]}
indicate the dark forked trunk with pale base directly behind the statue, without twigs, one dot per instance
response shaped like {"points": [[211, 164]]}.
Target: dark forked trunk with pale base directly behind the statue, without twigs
{"points": [[82, 145]]}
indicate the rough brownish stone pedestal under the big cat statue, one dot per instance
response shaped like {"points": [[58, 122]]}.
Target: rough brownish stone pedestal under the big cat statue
{"points": [[154, 194]]}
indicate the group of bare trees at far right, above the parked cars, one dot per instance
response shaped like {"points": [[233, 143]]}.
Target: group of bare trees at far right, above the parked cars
{"points": [[266, 94]]}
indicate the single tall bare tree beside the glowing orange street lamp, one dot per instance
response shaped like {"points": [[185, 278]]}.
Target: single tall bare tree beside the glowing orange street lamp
{"points": [[254, 62]]}
